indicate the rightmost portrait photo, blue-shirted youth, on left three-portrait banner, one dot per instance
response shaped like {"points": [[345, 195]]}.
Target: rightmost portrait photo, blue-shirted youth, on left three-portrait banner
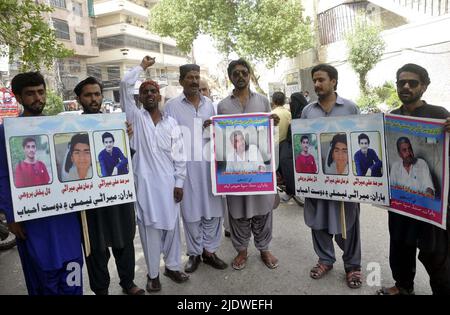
{"points": [[111, 153]]}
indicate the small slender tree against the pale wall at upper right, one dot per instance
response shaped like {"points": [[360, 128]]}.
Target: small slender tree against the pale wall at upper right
{"points": [[366, 46]]}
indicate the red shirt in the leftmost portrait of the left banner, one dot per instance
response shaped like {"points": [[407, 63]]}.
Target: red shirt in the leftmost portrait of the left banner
{"points": [[31, 174]]}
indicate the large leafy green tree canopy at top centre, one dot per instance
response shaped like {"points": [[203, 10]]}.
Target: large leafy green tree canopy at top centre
{"points": [[257, 30]]}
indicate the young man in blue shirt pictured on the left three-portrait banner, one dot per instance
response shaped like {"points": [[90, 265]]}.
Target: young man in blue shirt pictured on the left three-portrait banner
{"points": [[111, 159]]}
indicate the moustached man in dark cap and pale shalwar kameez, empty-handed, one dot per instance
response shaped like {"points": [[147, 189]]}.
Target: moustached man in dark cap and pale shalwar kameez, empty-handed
{"points": [[202, 212]]}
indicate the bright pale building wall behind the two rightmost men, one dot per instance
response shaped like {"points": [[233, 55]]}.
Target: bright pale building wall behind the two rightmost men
{"points": [[414, 32]]}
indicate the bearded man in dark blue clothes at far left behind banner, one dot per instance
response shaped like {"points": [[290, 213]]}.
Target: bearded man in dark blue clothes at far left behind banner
{"points": [[49, 248]]}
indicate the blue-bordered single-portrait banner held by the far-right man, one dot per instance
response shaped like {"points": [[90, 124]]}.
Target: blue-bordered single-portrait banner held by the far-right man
{"points": [[417, 151]]}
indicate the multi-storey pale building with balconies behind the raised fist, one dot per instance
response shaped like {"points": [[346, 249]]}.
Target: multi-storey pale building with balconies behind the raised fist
{"points": [[123, 41]]}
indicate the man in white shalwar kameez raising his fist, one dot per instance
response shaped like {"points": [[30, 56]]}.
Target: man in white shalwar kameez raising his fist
{"points": [[159, 171]]}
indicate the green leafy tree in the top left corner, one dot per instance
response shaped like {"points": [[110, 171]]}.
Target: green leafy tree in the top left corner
{"points": [[26, 34]]}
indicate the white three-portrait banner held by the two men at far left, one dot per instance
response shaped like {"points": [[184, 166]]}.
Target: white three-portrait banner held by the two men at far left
{"points": [[62, 164]]}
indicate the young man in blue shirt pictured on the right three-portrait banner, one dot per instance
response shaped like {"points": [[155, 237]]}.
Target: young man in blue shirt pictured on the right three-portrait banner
{"points": [[366, 160]]}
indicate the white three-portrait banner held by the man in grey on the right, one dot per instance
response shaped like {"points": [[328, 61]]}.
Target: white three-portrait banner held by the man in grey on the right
{"points": [[341, 159]]}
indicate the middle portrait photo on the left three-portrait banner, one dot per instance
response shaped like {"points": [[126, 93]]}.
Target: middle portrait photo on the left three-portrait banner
{"points": [[73, 156]]}
